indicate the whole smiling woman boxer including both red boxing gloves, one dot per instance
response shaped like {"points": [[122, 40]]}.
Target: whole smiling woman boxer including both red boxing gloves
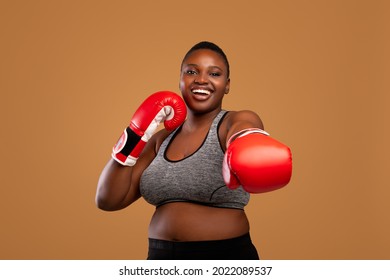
{"points": [[198, 173]]}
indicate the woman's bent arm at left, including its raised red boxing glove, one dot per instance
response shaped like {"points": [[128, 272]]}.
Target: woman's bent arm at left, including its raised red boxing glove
{"points": [[118, 185]]}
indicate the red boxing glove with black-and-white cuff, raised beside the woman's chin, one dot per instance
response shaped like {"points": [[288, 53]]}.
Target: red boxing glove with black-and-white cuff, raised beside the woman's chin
{"points": [[162, 105]]}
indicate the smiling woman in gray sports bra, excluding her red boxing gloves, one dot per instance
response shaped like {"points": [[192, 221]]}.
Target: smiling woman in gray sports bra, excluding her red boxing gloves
{"points": [[196, 216]]}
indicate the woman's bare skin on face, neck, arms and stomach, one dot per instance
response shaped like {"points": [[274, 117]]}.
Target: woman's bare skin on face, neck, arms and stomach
{"points": [[203, 84]]}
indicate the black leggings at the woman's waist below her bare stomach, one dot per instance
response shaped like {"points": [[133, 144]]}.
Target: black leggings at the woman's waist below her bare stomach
{"points": [[239, 248]]}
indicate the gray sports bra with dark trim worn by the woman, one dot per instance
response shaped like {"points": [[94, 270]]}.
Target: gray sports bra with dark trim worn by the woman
{"points": [[196, 178]]}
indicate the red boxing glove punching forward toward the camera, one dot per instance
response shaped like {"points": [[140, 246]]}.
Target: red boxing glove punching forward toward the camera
{"points": [[256, 162]]}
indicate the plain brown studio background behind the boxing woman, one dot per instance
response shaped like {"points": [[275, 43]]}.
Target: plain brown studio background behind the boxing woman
{"points": [[73, 72]]}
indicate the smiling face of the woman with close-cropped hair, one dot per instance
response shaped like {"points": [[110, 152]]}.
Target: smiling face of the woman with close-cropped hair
{"points": [[204, 81]]}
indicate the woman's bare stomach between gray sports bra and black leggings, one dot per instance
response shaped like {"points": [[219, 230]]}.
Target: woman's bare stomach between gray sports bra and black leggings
{"points": [[182, 221]]}
